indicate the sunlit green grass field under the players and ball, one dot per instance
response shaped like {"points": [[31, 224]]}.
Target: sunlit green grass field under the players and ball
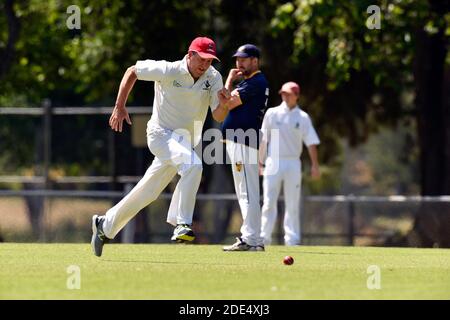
{"points": [[204, 272]]}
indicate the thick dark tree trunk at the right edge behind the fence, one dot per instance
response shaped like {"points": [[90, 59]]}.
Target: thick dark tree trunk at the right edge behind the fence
{"points": [[432, 221]]}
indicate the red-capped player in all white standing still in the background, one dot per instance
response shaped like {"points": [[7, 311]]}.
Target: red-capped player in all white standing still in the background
{"points": [[295, 128]]}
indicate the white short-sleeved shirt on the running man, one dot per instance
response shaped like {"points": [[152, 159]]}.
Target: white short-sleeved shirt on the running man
{"points": [[180, 103]]}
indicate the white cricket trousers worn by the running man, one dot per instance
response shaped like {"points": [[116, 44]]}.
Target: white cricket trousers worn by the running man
{"points": [[173, 154]]}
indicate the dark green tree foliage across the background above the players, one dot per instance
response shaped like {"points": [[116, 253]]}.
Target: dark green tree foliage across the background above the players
{"points": [[353, 79]]}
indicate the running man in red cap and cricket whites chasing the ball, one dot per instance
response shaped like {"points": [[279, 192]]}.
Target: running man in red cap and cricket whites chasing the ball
{"points": [[183, 92]]}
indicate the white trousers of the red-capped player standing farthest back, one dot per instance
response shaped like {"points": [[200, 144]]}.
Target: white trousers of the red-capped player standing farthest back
{"points": [[289, 174]]}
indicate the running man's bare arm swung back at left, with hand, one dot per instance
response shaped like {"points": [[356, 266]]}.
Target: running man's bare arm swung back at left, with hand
{"points": [[120, 112]]}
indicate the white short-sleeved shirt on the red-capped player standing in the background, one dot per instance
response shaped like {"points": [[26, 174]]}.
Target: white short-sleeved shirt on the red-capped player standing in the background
{"points": [[294, 127]]}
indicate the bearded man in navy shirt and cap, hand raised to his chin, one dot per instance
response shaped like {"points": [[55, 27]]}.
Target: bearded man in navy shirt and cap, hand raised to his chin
{"points": [[241, 129]]}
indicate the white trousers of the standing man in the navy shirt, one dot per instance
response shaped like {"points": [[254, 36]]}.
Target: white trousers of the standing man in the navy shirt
{"points": [[244, 163]]}
